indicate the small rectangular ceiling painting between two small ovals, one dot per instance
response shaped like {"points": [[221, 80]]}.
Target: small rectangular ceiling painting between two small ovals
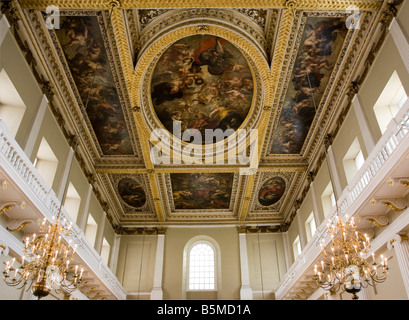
{"points": [[202, 190]]}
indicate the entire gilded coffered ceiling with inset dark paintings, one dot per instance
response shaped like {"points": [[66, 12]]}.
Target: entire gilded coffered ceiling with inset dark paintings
{"points": [[282, 68]]}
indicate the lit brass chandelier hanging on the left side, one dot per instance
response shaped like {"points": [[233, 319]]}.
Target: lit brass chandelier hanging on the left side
{"points": [[46, 262]]}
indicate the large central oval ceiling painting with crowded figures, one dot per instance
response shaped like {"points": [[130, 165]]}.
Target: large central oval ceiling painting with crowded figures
{"points": [[202, 82]]}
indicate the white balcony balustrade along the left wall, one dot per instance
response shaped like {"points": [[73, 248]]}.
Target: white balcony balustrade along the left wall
{"points": [[19, 168]]}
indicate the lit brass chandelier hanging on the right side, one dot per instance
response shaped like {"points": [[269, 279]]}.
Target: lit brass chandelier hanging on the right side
{"points": [[344, 264]]}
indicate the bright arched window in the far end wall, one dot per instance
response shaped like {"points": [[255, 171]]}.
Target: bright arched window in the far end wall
{"points": [[202, 267]]}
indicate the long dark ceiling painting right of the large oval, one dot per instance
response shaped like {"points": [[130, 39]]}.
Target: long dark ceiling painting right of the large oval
{"points": [[320, 46]]}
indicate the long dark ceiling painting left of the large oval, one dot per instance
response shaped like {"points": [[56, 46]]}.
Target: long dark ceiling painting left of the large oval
{"points": [[82, 43]]}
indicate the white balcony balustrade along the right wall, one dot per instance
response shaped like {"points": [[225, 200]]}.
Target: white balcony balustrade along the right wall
{"points": [[390, 148]]}
